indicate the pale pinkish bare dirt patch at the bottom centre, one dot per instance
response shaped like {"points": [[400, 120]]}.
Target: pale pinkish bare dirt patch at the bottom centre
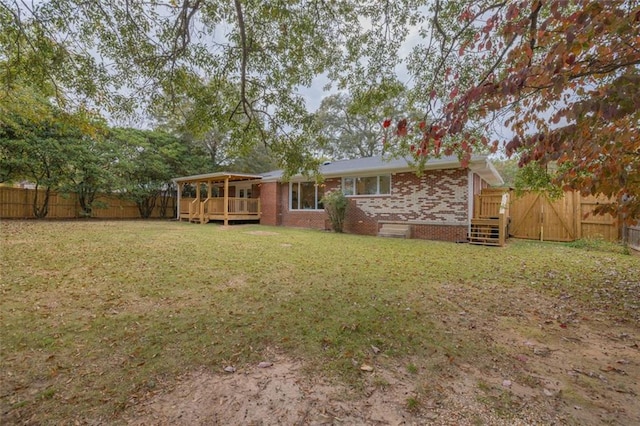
{"points": [[280, 394]]}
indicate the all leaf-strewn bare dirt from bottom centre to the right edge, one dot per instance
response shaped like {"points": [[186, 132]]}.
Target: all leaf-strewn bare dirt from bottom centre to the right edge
{"points": [[554, 364]]}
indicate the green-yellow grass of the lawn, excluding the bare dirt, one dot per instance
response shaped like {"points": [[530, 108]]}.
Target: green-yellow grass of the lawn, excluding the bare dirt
{"points": [[95, 314]]}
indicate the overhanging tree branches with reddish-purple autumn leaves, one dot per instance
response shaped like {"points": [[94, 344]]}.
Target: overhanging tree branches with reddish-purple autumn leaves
{"points": [[564, 77]]}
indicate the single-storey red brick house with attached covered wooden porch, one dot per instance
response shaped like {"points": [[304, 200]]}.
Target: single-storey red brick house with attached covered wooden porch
{"points": [[437, 205]]}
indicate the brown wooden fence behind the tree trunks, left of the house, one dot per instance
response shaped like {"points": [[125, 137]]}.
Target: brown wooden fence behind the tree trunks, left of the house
{"points": [[17, 203]]}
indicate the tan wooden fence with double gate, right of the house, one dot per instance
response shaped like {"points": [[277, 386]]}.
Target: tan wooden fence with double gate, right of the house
{"points": [[536, 216]]}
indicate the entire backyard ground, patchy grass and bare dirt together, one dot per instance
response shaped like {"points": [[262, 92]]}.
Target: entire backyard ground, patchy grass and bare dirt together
{"points": [[135, 322]]}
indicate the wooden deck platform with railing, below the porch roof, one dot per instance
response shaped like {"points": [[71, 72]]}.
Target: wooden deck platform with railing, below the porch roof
{"points": [[212, 209]]}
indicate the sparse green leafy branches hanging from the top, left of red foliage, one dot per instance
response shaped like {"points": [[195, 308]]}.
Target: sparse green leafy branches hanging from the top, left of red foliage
{"points": [[148, 51]]}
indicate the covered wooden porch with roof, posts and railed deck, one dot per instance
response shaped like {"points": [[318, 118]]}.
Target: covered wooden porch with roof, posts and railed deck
{"points": [[204, 209]]}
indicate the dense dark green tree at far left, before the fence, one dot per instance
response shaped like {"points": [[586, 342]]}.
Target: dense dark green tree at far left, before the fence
{"points": [[44, 145]]}
